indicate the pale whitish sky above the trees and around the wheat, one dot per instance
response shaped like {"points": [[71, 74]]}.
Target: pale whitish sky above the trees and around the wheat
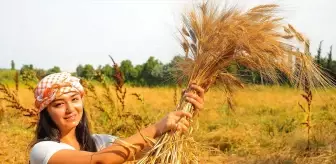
{"points": [[66, 33]]}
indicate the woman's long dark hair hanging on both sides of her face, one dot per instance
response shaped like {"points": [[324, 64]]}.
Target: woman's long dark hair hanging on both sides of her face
{"points": [[47, 130]]}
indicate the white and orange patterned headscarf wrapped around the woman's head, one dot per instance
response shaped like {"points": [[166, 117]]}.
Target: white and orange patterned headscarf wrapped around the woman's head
{"points": [[55, 85]]}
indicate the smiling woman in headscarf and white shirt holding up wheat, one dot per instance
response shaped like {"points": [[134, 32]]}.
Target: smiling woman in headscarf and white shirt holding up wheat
{"points": [[63, 135]]}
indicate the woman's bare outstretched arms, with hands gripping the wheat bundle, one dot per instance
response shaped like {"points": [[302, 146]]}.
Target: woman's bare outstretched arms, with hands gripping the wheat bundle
{"points": [[118, 152]]}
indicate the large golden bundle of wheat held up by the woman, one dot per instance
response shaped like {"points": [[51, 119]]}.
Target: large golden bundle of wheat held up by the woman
{"points": [[212, 40]]}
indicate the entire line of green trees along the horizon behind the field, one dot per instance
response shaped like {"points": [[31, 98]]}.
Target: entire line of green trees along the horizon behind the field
{"points": [[154, 73]]}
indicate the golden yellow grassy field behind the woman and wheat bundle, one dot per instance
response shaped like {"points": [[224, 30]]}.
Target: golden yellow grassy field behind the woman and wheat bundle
{"points": [[264, 128]]}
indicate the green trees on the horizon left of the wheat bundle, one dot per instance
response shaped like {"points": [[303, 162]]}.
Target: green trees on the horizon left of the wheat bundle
{"points": [[151, 73]]}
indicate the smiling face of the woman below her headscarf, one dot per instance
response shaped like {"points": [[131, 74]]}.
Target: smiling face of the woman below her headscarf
{"points": [[66, 110]]}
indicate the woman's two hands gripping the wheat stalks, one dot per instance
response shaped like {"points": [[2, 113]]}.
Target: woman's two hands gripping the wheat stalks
{"points": [[178, 120]]}
